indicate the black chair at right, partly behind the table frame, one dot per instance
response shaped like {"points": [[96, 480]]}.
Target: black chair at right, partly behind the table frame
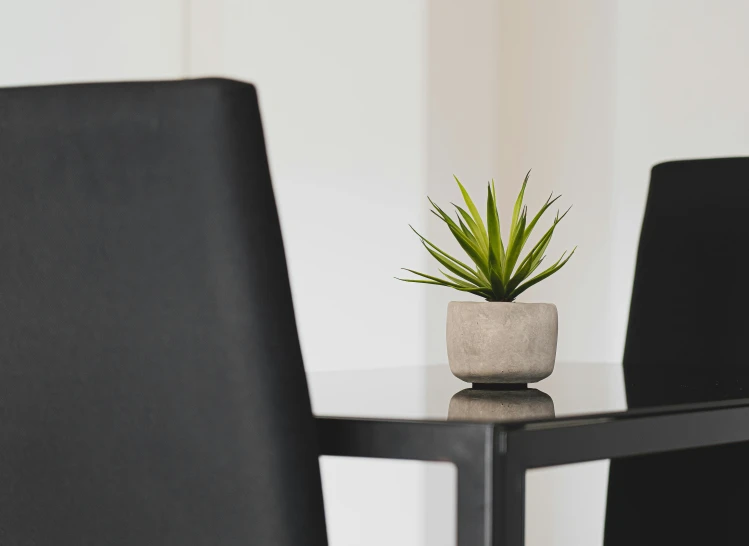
{"points": [[687, 342]]}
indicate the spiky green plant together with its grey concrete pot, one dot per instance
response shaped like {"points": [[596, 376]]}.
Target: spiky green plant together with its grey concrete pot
{"points": [[498, 341]]}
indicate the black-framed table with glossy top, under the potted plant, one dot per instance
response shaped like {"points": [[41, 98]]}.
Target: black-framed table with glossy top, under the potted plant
{"points": [[494, 436]]}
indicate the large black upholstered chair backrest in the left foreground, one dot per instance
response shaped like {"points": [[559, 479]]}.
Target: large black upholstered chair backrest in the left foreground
{"points": [[151, 382]]}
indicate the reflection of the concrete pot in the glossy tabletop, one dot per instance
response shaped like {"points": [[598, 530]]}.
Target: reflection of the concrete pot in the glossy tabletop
{"points": [[500, 405]]}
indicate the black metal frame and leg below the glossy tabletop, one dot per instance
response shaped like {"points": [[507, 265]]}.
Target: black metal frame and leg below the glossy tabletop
{"points": [[492, 458]]}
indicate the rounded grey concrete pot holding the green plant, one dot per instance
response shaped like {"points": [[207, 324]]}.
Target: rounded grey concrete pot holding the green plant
{"points": [[497, 342]]}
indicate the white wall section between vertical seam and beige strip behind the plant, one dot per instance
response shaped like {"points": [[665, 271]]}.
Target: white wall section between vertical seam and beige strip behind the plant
{"points": [[342, 92]]}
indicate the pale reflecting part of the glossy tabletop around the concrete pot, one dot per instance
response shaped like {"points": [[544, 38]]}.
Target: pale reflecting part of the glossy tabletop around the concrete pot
{"points": [[432, 392]]}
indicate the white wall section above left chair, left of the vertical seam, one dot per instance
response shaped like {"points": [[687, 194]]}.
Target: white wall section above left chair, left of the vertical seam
{"points": [[56, 41]]}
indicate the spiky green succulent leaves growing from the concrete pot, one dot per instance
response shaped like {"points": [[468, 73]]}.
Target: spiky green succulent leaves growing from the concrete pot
{"points": [[499, 273]]}
